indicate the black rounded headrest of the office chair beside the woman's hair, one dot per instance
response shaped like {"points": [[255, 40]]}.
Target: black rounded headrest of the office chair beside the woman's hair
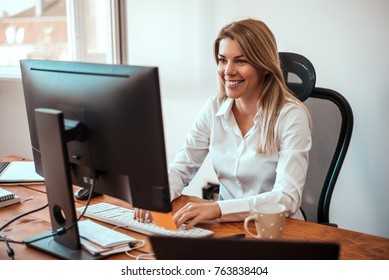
{"points": [[299, 74]]}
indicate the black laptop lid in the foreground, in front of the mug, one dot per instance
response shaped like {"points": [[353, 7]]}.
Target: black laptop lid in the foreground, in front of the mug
{"points": [[178, 248]]}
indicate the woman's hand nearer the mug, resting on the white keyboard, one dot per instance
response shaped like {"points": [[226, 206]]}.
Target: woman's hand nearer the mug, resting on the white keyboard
{"points": [[194, 212]]}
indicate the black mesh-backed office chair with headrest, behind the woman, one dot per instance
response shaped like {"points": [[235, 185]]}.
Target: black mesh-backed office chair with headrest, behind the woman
{"points": [[332, 119]]}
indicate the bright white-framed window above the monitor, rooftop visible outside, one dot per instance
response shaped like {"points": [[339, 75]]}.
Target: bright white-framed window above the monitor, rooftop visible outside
{"points": [[57, 30]]}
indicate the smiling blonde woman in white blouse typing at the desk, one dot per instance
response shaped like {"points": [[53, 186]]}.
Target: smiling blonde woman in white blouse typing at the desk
{"points": [[256, 131]]}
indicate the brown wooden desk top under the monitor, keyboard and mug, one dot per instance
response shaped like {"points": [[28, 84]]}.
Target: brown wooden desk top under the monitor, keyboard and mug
{"points": [[353, 245]]}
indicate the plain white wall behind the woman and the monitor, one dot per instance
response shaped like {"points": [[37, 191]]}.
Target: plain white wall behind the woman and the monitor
{"points": [[347, 41]]}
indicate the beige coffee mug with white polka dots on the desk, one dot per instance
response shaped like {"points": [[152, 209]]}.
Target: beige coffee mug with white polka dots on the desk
{"points": [[269, 221]]}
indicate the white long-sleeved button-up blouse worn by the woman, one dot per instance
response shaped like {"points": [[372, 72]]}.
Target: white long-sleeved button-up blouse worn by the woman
{"points": [[247, 178]]}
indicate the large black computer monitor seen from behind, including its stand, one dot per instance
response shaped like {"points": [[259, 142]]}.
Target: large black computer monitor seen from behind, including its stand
{"points": [[95, 122]]}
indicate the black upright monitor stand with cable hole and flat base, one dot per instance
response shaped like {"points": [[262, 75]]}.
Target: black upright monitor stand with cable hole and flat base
{"points": [[53, 140]]}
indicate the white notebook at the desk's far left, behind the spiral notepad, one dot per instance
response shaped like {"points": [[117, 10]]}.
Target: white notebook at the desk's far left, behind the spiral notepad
{"points": [[19, 172]]}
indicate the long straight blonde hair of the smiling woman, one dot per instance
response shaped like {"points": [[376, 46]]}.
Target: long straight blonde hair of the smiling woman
{"points": [[259, 46]]}
